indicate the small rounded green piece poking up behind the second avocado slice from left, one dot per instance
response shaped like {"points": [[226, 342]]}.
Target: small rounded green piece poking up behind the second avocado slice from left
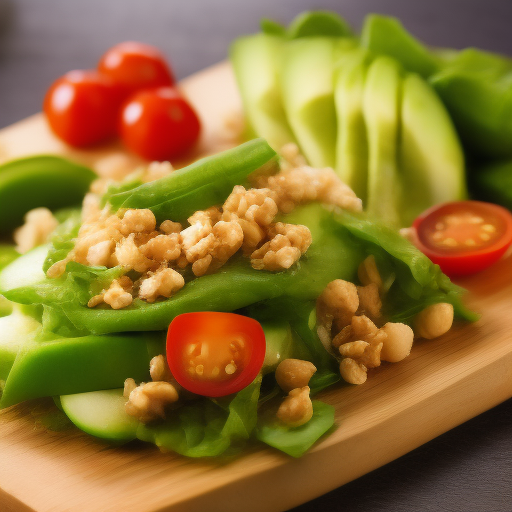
{"points": [[319, 23]]}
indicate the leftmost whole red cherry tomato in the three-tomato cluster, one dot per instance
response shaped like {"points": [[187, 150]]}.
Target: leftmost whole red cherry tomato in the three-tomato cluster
{"points": [[82, 108]]}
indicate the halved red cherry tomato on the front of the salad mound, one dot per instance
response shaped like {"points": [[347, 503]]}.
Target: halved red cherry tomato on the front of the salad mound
{"points": [[215, 354]]}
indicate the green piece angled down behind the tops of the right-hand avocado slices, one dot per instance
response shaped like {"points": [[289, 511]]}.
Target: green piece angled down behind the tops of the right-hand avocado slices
{"points": [[385, 35]]}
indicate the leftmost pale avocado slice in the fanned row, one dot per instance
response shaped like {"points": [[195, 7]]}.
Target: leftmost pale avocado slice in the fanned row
{"points": [[255, 62]]}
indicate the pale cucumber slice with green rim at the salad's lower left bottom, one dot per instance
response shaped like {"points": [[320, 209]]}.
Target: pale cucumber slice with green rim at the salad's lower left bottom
{"points": [[101, 414]]}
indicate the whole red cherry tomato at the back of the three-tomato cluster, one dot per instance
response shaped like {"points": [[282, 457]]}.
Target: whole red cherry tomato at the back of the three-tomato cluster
{"points": [[136, 66]]}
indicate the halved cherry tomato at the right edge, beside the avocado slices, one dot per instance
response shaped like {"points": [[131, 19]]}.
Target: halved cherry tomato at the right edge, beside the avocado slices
{"points": [[464, 237]]}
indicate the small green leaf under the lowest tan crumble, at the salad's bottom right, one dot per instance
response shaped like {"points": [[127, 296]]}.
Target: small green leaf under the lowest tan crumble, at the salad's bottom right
{"points": [[298, 440]]}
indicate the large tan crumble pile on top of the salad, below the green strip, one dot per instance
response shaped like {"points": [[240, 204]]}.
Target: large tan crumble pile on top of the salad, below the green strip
{"points": [[245, 222]]}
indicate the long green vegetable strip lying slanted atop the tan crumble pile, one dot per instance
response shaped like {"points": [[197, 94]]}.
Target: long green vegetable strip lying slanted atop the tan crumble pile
{"points": [[202, 184]]}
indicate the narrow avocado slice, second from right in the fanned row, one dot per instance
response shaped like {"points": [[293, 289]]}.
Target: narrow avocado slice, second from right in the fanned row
{"points": [[381, 103]]}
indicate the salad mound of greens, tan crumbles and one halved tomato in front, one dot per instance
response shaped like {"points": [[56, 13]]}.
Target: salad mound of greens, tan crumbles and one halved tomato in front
{"points": [[278, 244]]}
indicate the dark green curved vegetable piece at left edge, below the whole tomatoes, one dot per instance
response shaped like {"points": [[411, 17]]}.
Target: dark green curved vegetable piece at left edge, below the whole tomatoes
{"points": [[35, 181]]}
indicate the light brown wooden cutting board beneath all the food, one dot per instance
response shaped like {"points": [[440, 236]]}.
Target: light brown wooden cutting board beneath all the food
{"points": [[442, 384]]}
